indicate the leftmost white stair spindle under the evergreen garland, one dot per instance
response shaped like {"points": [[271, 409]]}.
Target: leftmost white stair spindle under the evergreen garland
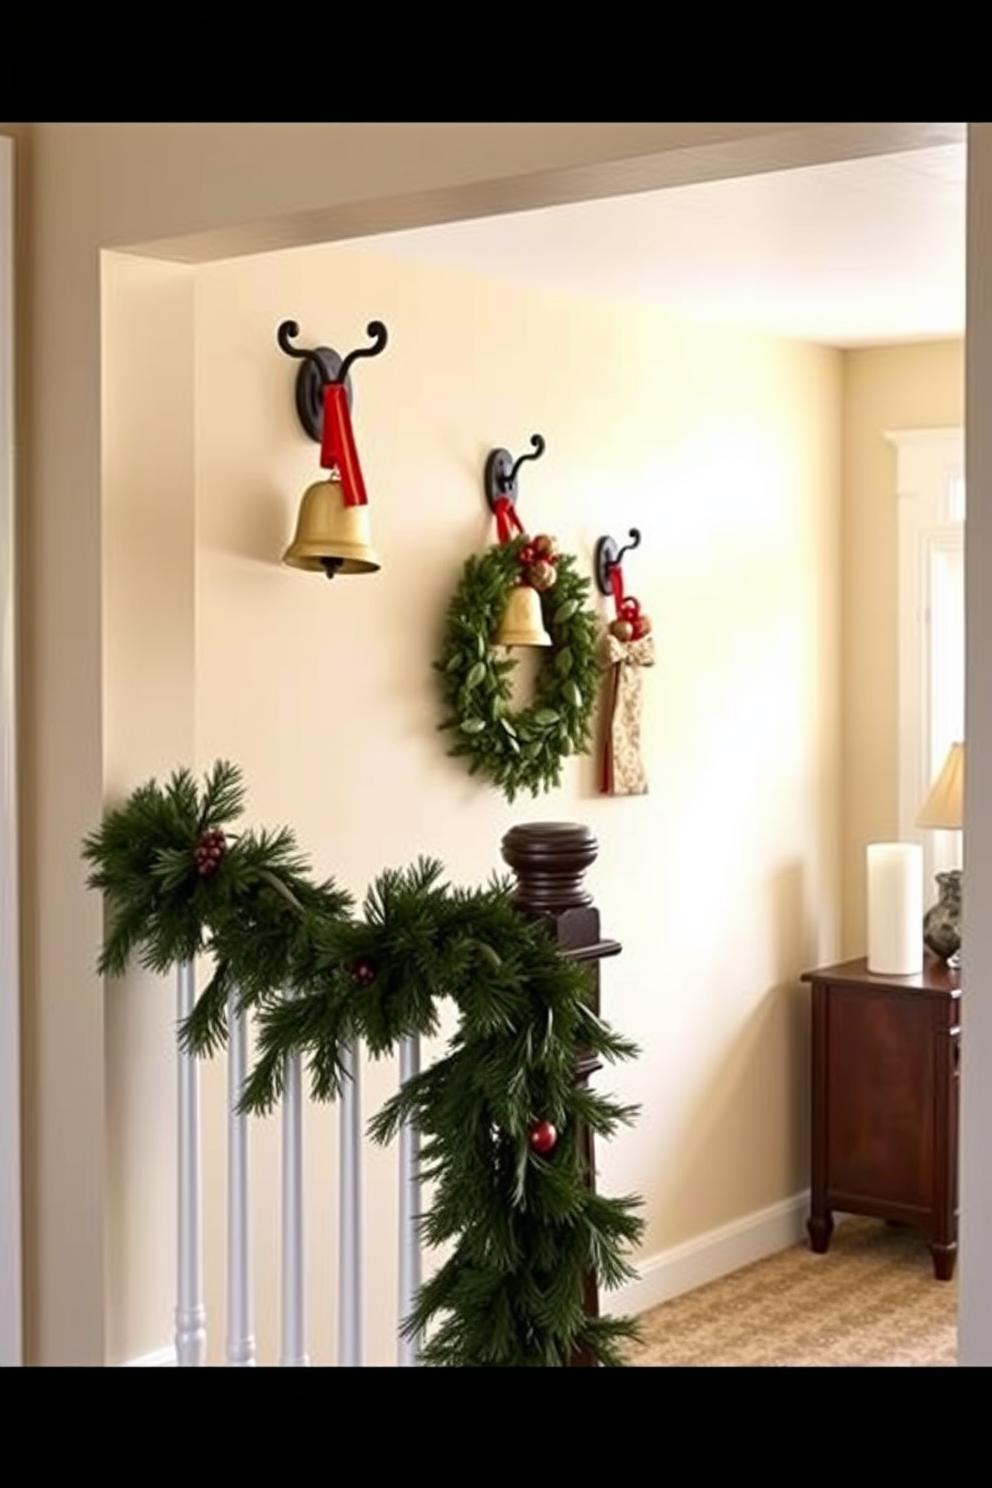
{"points": [[191, 1318]]}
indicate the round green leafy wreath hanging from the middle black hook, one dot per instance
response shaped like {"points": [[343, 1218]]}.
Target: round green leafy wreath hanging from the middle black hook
{"points": [[518, 751]]}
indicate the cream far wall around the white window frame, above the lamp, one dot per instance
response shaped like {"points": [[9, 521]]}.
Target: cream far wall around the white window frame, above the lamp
{"points": [[884, 389]]}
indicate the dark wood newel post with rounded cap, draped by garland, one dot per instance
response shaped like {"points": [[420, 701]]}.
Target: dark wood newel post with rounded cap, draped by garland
{"points": [[550, 861]]}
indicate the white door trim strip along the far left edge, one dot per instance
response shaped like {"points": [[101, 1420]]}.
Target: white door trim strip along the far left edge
{"points": [[11, 1301]]}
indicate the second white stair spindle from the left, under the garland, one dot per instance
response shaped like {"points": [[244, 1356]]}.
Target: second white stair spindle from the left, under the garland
{"points": [[240, 1335]]}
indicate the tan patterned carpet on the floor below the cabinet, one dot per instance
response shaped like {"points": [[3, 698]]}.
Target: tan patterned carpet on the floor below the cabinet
{"points": [[872, 1300]]}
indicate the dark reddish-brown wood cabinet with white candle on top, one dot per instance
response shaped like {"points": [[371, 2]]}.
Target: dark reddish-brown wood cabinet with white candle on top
{"points": [[886, 1081]]}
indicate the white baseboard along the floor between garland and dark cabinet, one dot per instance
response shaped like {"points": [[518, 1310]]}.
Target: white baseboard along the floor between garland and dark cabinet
{"points": [[710, 1257]]}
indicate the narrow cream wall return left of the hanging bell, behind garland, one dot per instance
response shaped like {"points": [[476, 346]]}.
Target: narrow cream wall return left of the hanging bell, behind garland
{"points": [[148, 403]]}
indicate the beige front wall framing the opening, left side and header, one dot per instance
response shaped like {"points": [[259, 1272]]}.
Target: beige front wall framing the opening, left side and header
{"points": [[83, 188]]}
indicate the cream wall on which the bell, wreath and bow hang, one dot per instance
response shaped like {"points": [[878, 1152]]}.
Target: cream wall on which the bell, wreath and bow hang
{"points": [[725, 450]]}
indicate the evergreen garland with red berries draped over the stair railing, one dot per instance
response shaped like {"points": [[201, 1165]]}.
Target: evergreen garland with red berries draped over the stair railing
{"points": [[500, 1114]]}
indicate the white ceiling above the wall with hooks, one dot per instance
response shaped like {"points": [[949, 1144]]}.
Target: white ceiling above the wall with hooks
{"points": [[851, 254]]}
